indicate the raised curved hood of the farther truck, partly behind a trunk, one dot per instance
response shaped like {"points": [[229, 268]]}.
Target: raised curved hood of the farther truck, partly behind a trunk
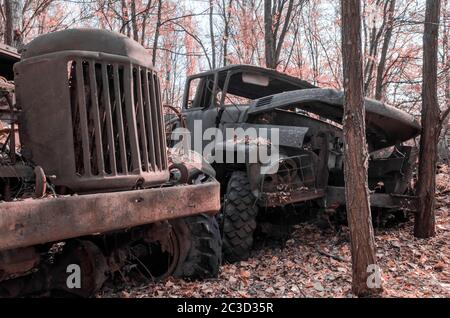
{"points": [[385, 125]]}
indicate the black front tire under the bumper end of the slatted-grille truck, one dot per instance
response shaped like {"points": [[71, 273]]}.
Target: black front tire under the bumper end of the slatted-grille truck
{"points": [[204, 253]]}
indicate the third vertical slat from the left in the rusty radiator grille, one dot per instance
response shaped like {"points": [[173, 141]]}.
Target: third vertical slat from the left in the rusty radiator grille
{"points": [[109, 123]]}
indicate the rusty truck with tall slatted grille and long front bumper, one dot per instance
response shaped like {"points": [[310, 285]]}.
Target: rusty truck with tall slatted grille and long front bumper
{"points": [[86, 183]]}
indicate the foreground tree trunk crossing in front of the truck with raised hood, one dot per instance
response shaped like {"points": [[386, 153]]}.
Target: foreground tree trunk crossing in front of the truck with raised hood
{"points": [[356, 156]]}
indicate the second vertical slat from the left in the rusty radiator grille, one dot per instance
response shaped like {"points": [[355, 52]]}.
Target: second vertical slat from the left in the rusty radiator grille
{"points": [[97, 127]]}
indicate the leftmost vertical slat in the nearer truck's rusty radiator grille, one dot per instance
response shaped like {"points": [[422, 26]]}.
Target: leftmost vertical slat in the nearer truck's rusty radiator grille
{"points": [[83, 117]]}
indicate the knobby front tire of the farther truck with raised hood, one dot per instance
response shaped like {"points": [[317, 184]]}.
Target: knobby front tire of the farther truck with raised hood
{"points": [[238, 218]]}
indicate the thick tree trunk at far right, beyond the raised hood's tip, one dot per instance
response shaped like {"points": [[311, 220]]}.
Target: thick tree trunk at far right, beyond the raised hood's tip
{"points": [[424, 225]]}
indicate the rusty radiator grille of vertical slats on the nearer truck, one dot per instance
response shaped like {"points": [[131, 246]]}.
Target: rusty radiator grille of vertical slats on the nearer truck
{"points": [[116, 119]]}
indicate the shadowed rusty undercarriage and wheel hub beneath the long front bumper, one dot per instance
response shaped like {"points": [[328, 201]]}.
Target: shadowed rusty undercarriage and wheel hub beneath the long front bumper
{"points": [[149, 252]]}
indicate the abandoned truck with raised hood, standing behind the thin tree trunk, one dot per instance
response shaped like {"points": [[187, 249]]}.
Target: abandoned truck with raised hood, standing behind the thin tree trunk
{"points": [[308, 121]]}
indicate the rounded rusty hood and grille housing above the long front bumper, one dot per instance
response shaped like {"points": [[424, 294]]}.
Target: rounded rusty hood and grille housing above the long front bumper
{"points": [[102, 111]]}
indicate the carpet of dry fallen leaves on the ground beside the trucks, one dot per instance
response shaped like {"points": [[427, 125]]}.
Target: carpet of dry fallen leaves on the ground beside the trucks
{"points": [[410, 267]]}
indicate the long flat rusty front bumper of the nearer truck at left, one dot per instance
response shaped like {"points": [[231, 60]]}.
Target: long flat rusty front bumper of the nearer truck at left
{"points": [[32, 222]]}
